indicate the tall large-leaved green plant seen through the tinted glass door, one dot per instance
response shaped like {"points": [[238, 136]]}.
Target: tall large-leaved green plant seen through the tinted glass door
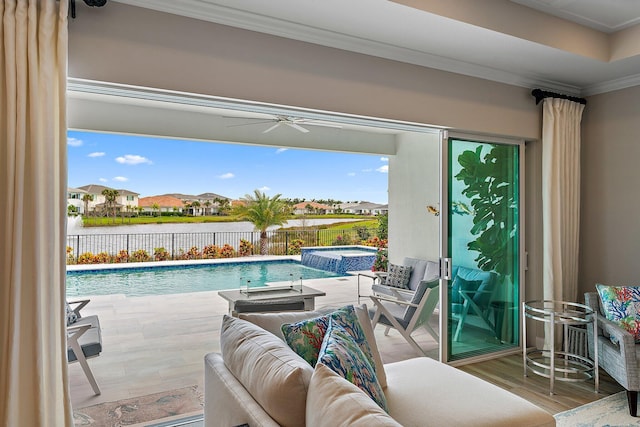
{"points": [[489, 186]]}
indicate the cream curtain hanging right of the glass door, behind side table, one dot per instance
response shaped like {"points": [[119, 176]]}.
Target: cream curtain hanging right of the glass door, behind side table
{"points": [[561, 197]]}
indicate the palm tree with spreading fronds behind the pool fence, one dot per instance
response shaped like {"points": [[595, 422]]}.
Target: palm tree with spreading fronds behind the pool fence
{"points": [[263, 212]]}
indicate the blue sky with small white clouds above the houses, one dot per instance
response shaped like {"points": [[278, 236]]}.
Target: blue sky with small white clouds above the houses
{"points": [[153, 166]]}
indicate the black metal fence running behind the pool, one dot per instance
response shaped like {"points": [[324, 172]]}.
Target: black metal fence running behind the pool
{"points": [[101, 248]]}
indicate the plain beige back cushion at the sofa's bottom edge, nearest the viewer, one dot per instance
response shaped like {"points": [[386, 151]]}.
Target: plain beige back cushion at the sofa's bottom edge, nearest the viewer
{"points": [[333, 401]]}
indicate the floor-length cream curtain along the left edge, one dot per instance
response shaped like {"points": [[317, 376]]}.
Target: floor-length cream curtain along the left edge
{"points": [[33, 73]]}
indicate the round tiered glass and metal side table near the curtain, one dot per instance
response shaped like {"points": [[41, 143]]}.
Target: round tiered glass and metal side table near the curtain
{"points": [[561, 365]]}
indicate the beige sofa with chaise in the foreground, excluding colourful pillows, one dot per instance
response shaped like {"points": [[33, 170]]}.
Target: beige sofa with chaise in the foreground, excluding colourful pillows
{"points": [[257, 380]]}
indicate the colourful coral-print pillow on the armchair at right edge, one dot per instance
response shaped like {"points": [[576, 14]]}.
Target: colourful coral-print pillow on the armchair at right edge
{"points": [[622, 305]]}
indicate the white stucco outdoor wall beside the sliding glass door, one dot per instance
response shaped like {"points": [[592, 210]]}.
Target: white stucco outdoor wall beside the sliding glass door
{"points": [[414, 183]]}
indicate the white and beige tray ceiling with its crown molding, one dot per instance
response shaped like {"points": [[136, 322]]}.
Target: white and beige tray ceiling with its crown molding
{"points": [[578, 47]]}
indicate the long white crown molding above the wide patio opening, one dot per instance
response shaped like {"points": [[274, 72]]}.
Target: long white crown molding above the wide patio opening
{"points": [[224, 15]]}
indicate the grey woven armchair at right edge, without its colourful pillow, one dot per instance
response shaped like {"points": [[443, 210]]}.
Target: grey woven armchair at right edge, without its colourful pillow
{"points": [[619, 360]]}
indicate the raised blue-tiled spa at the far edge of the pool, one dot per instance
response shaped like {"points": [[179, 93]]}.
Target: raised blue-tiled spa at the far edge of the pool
{"points": [[339, 259]]}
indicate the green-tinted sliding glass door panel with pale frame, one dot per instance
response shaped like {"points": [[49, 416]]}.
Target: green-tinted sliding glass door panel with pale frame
{"points": [[481, 246]]}
